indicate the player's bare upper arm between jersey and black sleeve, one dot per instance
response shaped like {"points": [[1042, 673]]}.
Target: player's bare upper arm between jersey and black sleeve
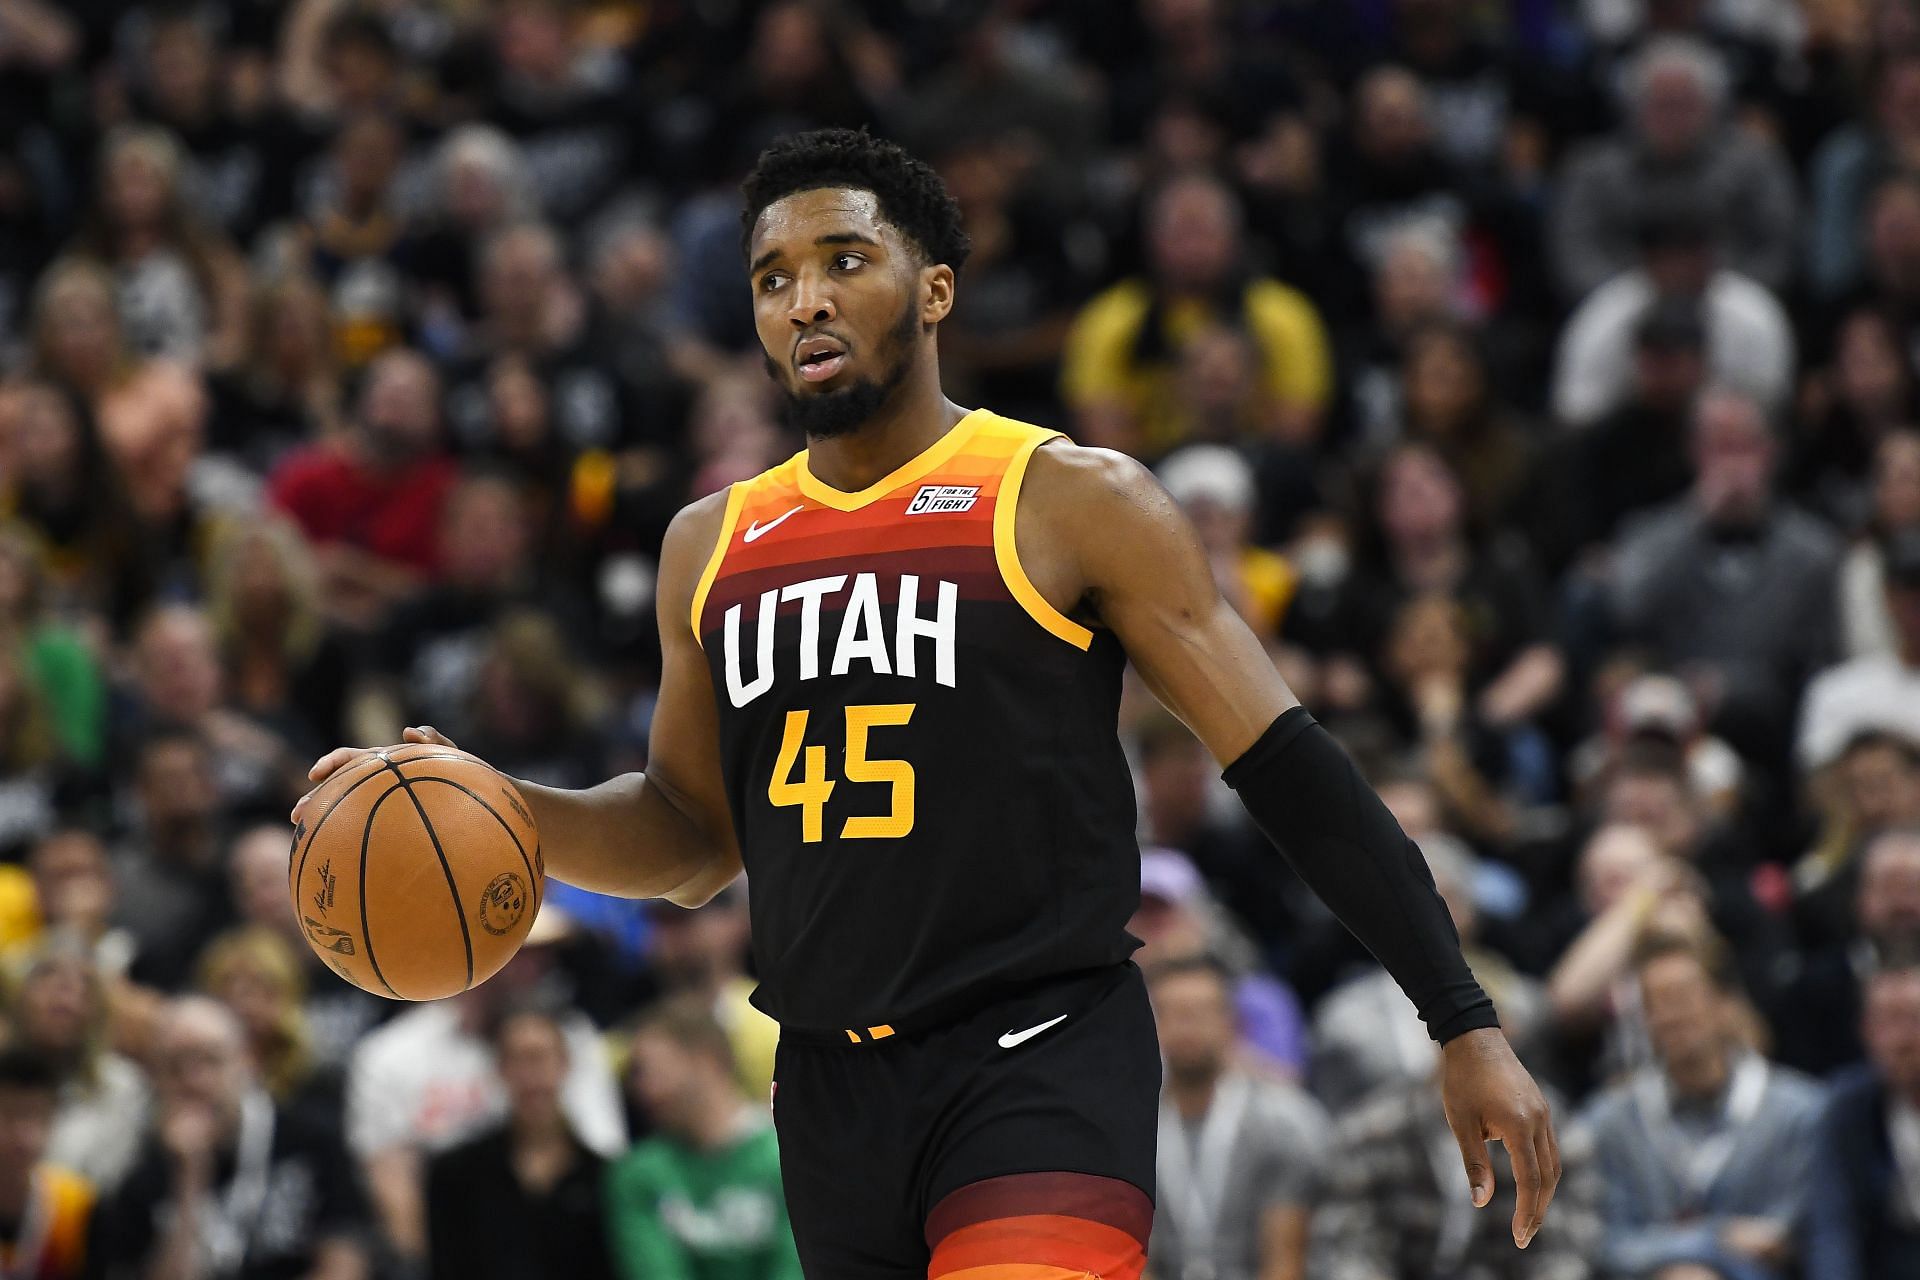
{"points": [[1151, 582]]}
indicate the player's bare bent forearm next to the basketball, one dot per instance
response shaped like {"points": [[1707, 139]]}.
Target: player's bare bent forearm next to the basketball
{"points": [[631, 838]]}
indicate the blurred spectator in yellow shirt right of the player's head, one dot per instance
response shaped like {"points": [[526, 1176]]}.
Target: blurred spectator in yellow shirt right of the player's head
{"points": [[1124, 348]]}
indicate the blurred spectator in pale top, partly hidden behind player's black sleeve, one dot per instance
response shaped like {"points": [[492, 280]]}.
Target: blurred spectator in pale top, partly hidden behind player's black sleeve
{"points": [[1370, 1037]]}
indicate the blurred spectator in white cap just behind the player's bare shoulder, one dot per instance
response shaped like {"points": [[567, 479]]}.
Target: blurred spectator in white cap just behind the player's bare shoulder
{"points": [[1214, 486]]}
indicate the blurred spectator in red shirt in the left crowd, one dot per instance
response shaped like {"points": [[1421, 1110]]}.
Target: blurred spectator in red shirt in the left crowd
{"points": [[372, 498]]}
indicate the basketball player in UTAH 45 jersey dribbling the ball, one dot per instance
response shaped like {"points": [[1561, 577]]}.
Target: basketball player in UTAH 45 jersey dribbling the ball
{"points": [[890, 692]]}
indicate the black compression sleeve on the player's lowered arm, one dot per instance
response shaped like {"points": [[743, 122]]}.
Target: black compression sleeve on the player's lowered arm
{"points": [[1314, 805]]}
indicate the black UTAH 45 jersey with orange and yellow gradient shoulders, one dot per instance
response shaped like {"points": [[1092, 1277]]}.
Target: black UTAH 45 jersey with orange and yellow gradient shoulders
{"points": [[921, 753]]}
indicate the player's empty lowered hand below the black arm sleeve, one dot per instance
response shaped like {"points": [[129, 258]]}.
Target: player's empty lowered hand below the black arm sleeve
{"points": [[1489, 1097]]}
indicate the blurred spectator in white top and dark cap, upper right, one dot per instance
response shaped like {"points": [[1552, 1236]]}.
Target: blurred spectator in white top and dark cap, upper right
{"points": [[1750, 341]]}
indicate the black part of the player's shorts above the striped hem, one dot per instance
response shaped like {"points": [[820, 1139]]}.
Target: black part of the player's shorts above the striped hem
{"points": [[875, 1135]]}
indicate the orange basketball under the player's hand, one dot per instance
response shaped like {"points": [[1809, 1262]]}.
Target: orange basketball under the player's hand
{"points": [[416, 872]]}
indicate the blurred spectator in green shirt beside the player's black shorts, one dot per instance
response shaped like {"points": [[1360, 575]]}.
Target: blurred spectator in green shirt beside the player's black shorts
{"points": [[702, 1198]]}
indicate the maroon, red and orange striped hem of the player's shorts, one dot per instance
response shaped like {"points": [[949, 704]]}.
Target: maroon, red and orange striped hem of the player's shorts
{"points": [[1042, 1227]]}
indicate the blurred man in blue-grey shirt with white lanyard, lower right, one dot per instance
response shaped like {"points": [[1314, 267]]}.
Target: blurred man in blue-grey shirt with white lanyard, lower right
{"points": [[1708, 1156]]}
